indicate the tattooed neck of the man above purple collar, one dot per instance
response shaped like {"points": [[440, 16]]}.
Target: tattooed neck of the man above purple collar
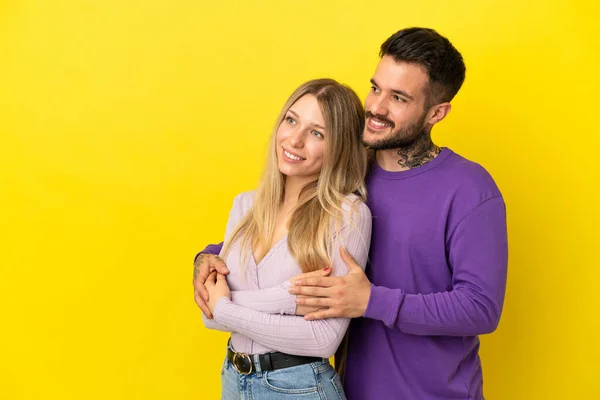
{"points": [[418, 153]]}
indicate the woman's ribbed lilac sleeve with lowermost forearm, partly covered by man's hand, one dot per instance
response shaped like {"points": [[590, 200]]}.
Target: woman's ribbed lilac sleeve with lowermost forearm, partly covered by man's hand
{"points": [[292, 334]]}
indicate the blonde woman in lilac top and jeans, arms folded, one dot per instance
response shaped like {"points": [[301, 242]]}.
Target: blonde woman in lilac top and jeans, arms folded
{"points": [[309, 203]]}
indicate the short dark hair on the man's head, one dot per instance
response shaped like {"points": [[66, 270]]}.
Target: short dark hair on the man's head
{"points": [[426, 47]]}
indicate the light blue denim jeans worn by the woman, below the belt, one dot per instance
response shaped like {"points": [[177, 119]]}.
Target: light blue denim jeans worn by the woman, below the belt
{"points": [[317, 380]]}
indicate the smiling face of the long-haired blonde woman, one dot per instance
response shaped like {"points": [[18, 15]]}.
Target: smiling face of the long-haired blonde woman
{"points": [[300, 140]]}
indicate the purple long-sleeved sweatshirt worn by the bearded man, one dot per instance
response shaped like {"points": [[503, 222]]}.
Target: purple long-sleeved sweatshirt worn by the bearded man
{"points": [[438, 264]]}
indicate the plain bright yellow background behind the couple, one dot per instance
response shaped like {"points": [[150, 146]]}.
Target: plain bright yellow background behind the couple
{"points": [[128, 126]]}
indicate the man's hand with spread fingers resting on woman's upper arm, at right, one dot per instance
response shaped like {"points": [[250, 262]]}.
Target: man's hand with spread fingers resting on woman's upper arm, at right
{"points": [[341, 296]]}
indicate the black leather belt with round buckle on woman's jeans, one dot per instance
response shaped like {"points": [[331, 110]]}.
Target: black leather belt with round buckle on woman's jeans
{"points": [[244, 364]]}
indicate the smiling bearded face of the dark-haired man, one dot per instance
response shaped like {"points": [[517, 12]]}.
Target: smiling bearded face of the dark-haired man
{"points": [[395, 106]]}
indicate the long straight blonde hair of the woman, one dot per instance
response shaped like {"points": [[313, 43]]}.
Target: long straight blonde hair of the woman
{"points": [[318, 213]]}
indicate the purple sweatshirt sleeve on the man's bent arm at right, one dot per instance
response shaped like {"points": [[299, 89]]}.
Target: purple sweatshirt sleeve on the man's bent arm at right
{"points": [[478, 254]]}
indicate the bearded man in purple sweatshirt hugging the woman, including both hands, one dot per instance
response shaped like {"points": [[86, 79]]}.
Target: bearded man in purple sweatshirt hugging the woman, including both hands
{"points": [[438, 258]]}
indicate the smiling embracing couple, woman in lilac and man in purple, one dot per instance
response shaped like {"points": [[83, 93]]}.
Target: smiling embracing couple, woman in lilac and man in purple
{"points": [[290, 277]]}
